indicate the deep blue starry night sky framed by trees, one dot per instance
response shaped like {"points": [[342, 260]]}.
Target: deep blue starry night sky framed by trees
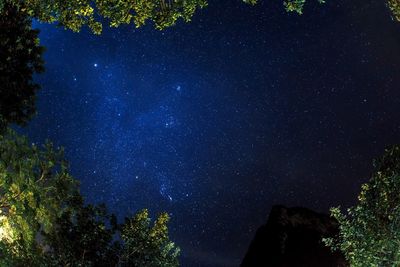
{"points": [[217, 120]]}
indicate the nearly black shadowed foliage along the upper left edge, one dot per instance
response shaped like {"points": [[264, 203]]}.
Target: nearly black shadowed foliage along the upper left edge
{"points": [[20, 59]]}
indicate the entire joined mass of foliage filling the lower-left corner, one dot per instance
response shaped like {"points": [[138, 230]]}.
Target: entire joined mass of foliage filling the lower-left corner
{"points": [[44, 221]]}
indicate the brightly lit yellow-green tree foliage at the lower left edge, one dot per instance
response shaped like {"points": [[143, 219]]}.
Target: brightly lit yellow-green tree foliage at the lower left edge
{"points": [[34, 186]]}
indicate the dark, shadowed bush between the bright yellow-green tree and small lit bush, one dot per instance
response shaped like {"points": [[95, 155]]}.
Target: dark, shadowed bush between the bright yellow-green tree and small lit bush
{"points": [[82, 237]]}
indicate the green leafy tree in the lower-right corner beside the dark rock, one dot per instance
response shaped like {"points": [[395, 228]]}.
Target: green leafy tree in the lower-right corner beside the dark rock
{"points": [[370, 231]]}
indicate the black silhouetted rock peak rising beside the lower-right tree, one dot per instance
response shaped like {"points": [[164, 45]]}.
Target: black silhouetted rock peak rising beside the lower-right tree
{"points": [[293, 237]]}
